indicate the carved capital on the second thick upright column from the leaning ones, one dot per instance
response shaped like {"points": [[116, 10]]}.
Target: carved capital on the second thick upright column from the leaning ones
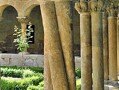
{"points": [[97, 6]]}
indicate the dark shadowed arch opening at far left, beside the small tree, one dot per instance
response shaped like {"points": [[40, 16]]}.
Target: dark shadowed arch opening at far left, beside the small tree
{"points": [[9, 14]]}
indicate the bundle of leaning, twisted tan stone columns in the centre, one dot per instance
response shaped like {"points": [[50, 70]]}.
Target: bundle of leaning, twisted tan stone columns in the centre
{"points": [[59, 72]]}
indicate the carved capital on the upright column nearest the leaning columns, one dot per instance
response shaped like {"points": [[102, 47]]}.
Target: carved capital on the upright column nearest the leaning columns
{"points": [[82, 6]]}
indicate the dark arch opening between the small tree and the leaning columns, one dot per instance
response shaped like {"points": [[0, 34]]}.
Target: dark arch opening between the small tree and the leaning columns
{"points": [[36, 20]]}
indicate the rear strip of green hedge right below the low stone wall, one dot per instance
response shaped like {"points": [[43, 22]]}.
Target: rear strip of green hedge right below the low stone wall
{"points": [[21, 72]]}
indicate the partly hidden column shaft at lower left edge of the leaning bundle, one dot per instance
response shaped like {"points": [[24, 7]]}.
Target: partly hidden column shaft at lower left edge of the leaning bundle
{"points": [[47, 73]]}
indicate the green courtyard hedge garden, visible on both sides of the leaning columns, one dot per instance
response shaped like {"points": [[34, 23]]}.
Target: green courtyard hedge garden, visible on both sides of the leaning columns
{"points": [[26, 78]]}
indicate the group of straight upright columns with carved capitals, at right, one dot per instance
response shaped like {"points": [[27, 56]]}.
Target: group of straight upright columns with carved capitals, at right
{"points": [[99, 44]]}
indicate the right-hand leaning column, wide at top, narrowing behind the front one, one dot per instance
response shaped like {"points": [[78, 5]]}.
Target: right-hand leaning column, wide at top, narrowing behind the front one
{"points": [[64, 17]]}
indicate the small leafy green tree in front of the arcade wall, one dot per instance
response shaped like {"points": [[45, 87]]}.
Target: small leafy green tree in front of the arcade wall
{"points": [[22, 42]]}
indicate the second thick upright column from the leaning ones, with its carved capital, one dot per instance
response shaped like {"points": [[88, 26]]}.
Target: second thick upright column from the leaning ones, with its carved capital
{"points": [[97, 46]]}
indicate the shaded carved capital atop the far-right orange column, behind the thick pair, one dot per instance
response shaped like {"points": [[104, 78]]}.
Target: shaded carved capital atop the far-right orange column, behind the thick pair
{"points": [[112, 10]]}
